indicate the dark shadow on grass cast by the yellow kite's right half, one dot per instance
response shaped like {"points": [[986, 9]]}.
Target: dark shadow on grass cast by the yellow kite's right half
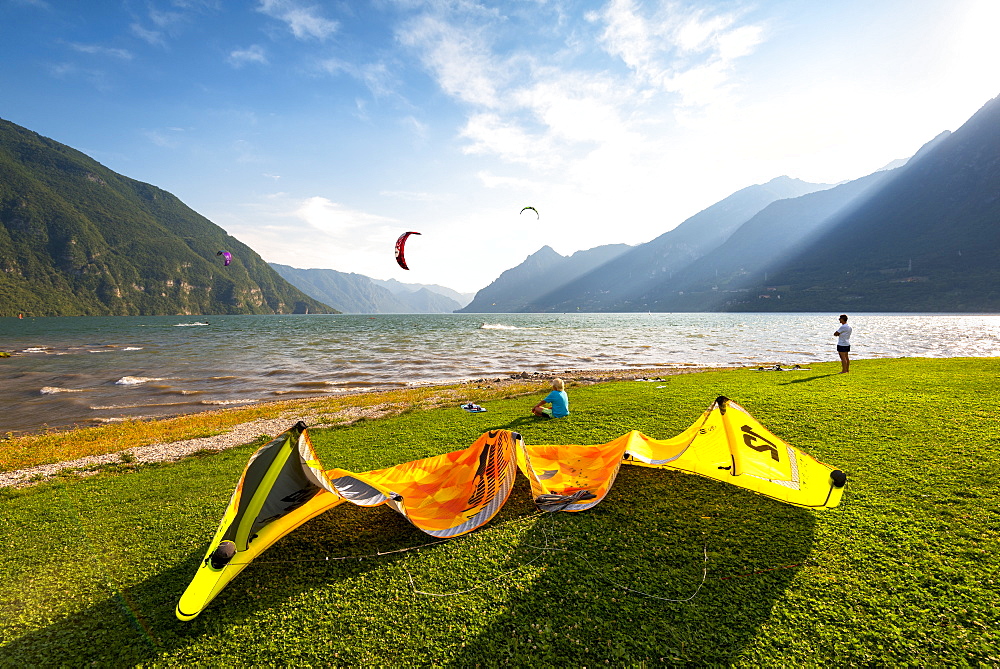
{"points": [[604, 598]]}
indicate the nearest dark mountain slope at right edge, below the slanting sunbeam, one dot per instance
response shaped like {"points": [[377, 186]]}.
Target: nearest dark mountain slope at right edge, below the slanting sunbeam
{"points": [[927, 240]]}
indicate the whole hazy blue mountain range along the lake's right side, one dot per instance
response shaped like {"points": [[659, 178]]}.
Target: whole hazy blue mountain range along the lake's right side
{"points": [[921, 236]]}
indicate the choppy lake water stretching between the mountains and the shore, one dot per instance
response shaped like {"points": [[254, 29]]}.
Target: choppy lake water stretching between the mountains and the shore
{"points": [[88, 371]]}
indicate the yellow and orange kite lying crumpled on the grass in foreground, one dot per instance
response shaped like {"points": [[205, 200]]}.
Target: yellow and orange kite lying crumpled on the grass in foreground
{"points": [[284, 485]]}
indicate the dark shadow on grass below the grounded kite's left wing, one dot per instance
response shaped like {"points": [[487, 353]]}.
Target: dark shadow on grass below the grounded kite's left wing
{"points": [[137, 623]]}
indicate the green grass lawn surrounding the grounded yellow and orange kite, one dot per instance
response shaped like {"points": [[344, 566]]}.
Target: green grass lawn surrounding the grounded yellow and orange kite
{"points": [[904, 572]]}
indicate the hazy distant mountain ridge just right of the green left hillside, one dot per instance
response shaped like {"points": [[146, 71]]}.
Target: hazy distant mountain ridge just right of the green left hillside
{"points": [[358, 294]]}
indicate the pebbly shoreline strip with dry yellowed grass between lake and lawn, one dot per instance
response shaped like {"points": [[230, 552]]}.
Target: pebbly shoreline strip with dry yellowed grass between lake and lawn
{"points": [[311, 412]]}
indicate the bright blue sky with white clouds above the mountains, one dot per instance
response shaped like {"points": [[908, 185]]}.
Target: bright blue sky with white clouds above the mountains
{"points": [[318, 131]]}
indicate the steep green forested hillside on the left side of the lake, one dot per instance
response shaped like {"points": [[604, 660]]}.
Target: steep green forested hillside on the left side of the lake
{"points": [[79, 239]]}
